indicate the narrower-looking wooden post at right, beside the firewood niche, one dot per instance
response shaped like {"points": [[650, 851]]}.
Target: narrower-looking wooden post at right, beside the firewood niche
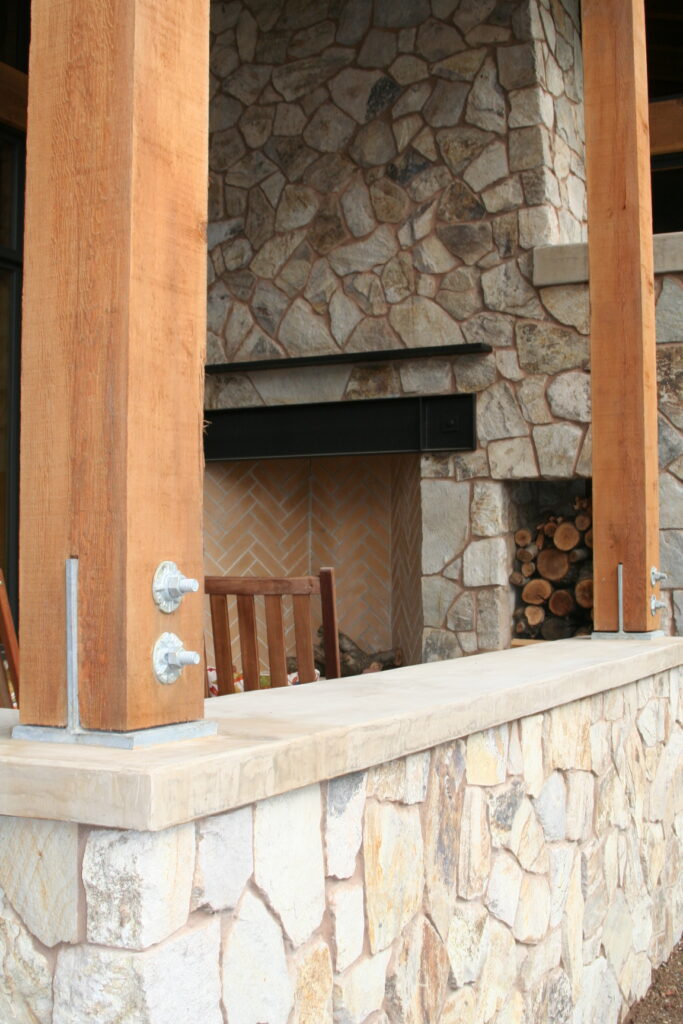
{"points": [[622, 285]]}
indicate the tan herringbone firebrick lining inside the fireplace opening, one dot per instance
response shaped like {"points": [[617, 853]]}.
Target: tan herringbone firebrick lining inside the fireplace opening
{"points": [[284, 518]]}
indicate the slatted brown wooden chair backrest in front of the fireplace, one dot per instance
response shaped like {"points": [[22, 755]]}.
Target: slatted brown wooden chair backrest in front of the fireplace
{"points": [[274, 589]]}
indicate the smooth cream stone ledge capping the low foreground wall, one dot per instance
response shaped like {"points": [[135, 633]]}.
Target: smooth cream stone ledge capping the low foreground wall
{"points": [[275, 742]]}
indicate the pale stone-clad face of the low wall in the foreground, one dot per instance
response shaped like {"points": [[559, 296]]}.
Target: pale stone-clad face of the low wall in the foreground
{"points": [[531, 873]]}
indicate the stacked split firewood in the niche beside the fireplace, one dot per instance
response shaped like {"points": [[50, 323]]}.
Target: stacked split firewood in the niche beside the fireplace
{"points": [[554, 575]]}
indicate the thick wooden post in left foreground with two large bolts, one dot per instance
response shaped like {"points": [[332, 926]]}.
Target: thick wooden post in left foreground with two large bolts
{"points": [[113, 352]]}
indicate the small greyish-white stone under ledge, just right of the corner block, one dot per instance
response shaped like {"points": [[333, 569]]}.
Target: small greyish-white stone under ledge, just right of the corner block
{"points": [[225, 860]]}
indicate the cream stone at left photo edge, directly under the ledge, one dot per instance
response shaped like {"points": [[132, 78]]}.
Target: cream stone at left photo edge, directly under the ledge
{"points": [[39, 874]]}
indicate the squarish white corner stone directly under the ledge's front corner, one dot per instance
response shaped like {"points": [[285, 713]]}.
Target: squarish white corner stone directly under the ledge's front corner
{"points": [[138, 885]]}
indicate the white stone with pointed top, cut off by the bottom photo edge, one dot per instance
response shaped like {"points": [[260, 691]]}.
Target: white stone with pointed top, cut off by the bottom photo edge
{"points": [[255, 976]]}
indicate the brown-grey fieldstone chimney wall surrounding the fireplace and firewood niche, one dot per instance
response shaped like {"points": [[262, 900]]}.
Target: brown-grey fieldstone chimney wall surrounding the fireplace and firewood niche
{"points": [[381, 172]]}
